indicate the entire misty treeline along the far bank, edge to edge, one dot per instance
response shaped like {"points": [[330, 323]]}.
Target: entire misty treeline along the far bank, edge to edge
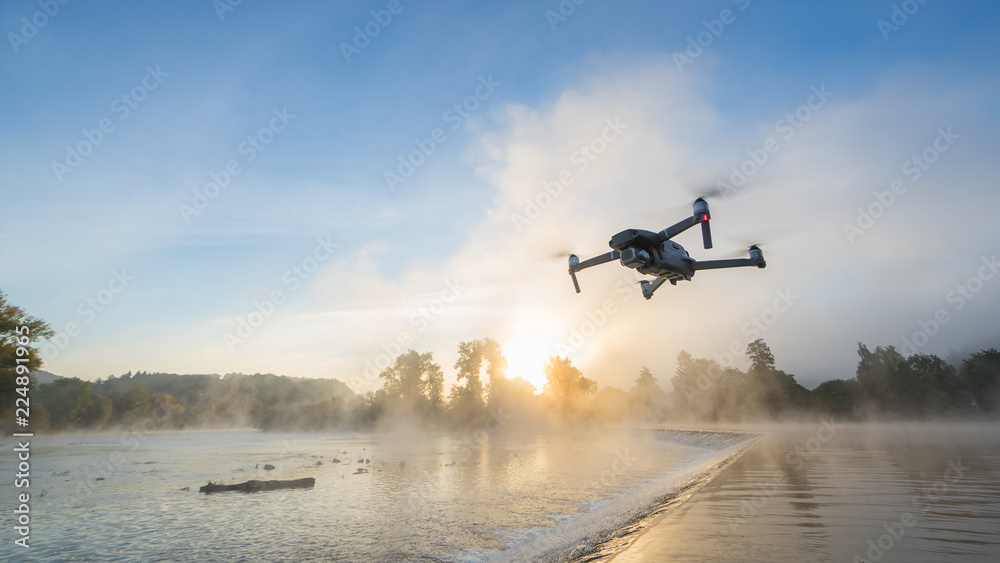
{"points": [[885, 385]]}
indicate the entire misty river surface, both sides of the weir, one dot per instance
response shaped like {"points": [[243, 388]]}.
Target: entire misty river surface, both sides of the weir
{"points": [[813, 491]]}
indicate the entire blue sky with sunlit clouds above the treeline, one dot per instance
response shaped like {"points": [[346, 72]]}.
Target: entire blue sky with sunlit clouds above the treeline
{"points": [[310, 189]]}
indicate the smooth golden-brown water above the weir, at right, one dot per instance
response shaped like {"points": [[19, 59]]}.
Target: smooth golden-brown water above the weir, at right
{"points": [[909, 493]]}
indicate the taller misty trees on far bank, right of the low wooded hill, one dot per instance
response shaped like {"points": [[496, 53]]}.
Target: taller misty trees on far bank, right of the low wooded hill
{"points": [[886, 386]]}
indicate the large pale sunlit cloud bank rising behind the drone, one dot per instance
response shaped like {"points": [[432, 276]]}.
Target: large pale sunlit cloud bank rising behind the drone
{"points": [[653, 138]]}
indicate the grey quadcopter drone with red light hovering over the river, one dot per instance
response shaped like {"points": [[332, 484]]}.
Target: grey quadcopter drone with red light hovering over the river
{"points": [[655, 254]]}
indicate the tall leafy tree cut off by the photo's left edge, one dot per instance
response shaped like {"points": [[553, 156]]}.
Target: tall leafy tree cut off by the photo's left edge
{"points": [[18, 332]]}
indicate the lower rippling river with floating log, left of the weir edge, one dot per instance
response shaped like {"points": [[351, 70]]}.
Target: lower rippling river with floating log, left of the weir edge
{"points": [[431, 497]]}
